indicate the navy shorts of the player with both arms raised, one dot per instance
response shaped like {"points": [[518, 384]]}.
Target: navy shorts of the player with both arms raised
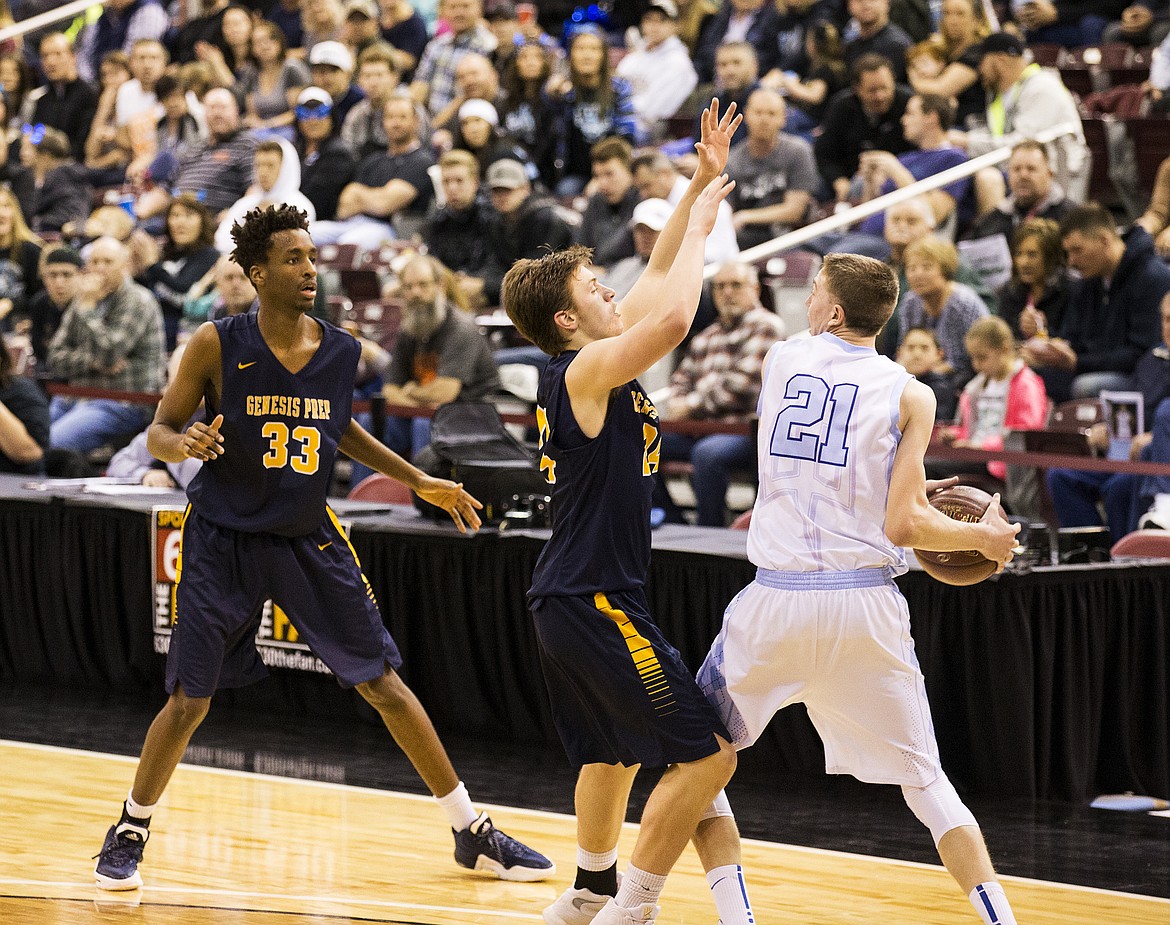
{"points": [[621, 693]]}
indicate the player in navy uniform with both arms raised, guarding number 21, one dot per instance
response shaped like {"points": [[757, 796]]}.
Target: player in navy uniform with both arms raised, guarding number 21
{"points": [[621, 695]]}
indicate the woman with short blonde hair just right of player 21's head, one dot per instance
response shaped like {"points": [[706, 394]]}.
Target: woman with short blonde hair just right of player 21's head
{"points": [[941, 305]]}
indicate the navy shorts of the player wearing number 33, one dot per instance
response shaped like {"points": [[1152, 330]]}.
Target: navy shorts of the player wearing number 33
{"points": [[225, 576]]}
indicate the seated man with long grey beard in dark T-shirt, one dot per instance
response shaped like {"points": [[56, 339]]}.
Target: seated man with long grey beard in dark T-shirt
{"points": [[441, 357]]}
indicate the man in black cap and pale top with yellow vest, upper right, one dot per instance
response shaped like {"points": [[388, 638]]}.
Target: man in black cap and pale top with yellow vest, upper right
{"points": [[1024, 100]]}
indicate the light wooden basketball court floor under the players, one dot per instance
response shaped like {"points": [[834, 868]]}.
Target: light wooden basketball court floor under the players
{"points": [[238, 848]]}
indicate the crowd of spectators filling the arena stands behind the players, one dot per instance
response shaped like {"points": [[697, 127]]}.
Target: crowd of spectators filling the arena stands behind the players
{"points": [[137, 137]]}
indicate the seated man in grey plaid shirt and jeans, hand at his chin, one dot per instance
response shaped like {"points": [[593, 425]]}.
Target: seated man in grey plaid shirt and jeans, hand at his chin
{"points": [[111, 337]]}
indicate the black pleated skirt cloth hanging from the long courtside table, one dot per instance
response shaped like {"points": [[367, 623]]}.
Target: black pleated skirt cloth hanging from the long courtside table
{"points": [[1051, 685]]}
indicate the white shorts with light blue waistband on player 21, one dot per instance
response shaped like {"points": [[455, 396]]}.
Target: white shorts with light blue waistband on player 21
{"points": [[841, 644]]}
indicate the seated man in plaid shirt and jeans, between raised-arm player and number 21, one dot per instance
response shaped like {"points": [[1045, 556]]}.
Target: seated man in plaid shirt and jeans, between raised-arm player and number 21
{"points": [[719, 381]]}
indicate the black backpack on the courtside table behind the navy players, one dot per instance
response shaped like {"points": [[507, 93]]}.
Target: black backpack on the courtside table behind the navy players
{"points": [[470, 444]]}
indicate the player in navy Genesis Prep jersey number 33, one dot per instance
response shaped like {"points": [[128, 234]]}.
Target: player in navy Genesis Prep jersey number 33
{"points": [[279, 389]]}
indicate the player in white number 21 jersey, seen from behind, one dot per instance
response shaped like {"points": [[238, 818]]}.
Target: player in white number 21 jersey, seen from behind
{"points": [[843, 433]]}
